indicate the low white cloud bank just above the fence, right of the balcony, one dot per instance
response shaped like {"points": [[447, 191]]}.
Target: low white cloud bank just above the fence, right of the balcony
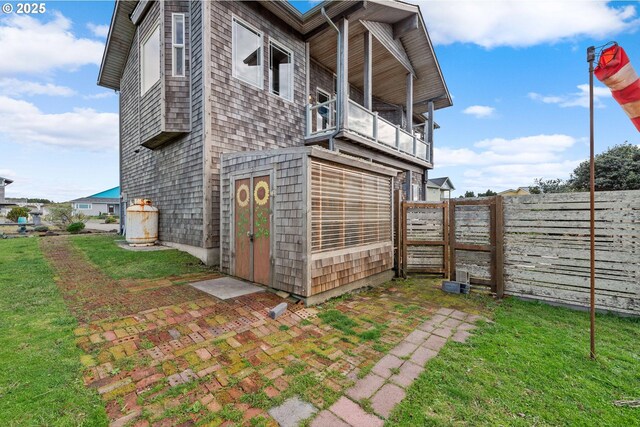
{"points": [[500, 163]]}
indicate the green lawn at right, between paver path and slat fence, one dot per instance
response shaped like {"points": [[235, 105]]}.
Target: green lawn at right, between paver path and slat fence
{"points": [[531, 367]]}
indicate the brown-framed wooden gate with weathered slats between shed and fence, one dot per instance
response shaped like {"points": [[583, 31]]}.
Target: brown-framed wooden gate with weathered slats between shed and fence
{"points": [[440, 238]]}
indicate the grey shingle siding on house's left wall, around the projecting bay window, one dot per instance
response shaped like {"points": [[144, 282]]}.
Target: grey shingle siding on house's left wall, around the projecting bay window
{"points": [[172, 175]]}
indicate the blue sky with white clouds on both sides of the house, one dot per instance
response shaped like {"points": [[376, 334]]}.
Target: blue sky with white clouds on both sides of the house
{"points": [[517, 72]]}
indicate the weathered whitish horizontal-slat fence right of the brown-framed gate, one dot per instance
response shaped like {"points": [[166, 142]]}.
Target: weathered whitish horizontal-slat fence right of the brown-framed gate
{"points": [[546, 249]]}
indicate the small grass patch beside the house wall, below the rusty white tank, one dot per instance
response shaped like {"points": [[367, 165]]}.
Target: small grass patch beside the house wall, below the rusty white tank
{"points": [[120, 263]]}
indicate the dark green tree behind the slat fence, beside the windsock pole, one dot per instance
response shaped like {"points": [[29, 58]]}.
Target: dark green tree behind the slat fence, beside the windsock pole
{"points": [[618, 168]]}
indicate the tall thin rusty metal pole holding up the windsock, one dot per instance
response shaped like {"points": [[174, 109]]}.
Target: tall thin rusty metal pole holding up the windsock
{"points": [[592, 172]]}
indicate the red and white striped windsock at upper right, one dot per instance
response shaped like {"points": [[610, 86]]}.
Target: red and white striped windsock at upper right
{"points": [[615, 71]]}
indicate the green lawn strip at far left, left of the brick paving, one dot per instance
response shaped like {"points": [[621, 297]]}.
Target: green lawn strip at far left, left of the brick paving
{"points": [[40, 370]]}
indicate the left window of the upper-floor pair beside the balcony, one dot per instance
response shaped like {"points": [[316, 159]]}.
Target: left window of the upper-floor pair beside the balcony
{"points": [[247, 53]]}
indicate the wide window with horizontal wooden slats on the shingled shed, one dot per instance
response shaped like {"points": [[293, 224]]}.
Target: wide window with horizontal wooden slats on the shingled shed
{"points": [[349, 207]]}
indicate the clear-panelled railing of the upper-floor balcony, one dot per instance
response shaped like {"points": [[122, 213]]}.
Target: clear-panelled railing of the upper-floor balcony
{"points": [[321, 121]]}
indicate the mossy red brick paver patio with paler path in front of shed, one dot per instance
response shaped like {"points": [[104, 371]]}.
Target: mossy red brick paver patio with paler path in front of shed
{"points": [[161, 353]]}
